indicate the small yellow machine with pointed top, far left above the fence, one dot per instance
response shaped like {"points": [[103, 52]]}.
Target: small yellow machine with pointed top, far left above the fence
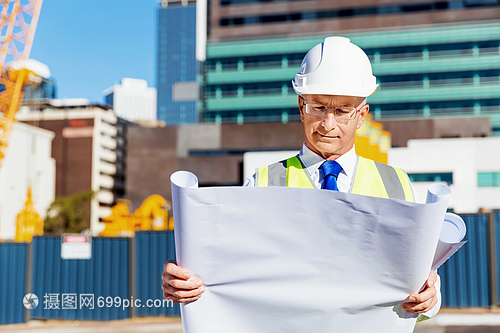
{"points": [[28, 222]]}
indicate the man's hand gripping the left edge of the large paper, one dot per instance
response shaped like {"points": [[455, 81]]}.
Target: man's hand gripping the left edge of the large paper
{"points": [[178, 285]]}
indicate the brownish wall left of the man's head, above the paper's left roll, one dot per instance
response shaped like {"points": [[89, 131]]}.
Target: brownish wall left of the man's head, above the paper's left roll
{"points": [[213, 152]]}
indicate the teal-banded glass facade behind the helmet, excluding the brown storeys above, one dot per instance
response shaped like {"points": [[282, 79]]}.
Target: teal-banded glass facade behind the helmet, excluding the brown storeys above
{"points": [[425, 71]]}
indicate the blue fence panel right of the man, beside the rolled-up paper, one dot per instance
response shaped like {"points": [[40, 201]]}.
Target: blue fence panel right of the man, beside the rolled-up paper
{"points": [[465, 276]]}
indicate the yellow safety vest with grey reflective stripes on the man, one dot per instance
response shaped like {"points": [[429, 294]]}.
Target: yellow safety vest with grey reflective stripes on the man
{"points": [[371, 178]]}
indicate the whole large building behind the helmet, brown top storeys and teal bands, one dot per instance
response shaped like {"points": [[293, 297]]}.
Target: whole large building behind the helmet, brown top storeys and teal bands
{"points": [[435, 59]]}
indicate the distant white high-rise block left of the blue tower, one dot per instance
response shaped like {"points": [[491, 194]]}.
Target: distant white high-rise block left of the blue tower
{"points": [[132, 99]]}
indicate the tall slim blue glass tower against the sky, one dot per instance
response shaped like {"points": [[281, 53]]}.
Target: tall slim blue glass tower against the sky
{"points": [[177, 68]]}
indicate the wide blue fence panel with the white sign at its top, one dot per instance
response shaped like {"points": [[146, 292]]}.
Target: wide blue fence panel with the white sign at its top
{"points": [[98, 285]]}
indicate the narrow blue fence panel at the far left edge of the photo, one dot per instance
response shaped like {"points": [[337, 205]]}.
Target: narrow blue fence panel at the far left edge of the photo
{"points": [[12, 282]]}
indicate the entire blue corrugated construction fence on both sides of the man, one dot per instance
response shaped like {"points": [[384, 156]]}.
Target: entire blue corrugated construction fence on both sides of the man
{"points": [[129, 269]]}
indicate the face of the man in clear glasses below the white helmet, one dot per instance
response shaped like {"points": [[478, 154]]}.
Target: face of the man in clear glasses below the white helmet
{"points": [[328, 136]]}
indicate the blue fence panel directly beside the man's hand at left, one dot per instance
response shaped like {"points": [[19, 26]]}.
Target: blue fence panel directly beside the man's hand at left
{"points": [[153, 248]]}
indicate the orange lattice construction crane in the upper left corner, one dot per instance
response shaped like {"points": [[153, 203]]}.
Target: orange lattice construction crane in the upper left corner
{"points": [[17, 30]]}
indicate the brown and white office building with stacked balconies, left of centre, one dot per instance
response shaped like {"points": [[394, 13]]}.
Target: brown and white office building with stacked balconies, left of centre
{"points": [[89, 150]]}
